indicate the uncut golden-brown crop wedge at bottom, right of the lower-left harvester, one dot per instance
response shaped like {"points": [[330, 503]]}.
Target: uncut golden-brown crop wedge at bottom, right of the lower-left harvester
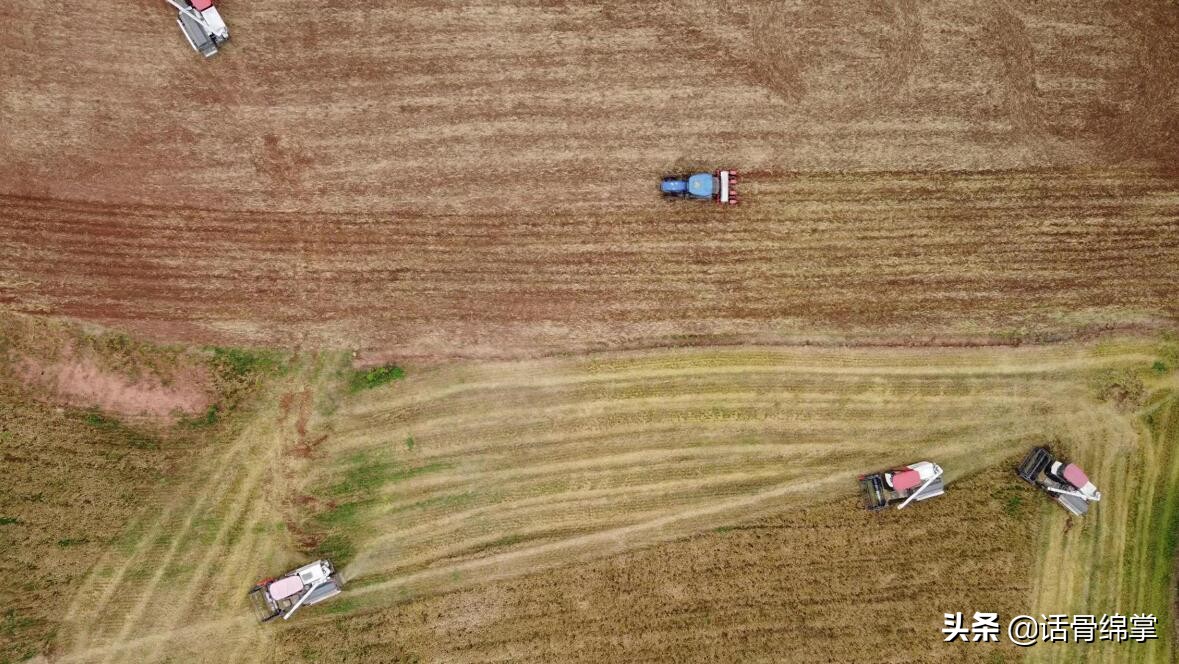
{"points": [[814, 584]]}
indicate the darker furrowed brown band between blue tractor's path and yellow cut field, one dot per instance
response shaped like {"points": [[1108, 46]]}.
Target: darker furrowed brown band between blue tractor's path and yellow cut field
{"points": [[917, 258]]}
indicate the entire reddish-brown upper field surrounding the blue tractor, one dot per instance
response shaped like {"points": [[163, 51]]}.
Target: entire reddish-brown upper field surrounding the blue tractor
{"points": [[478, 179]]}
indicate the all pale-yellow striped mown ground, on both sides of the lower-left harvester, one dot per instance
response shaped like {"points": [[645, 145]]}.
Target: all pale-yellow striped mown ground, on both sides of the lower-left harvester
{"points": [[473, 472]]}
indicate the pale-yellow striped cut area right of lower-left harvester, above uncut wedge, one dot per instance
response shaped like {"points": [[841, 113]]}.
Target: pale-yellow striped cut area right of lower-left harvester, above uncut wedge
{"points": [[471, 472]]}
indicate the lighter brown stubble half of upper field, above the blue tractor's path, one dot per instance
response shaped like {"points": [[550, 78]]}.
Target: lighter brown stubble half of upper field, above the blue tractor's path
{"points": [[525, 107]]}
